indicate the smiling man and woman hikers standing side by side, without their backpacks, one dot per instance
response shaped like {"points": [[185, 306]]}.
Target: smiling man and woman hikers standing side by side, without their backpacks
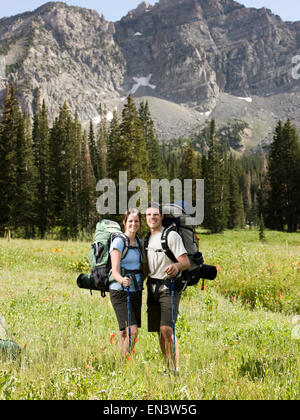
{"points": [[155, 264]]}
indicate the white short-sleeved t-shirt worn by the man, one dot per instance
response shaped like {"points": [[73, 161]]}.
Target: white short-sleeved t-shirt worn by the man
{"points": [[158, 261]]}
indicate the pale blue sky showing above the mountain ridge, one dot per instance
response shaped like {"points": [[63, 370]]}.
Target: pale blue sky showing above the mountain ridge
{"points": [[113, 10]]}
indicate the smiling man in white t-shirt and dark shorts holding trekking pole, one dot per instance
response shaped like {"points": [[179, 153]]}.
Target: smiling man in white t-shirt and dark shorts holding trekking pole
{"points": [[161, 271]]}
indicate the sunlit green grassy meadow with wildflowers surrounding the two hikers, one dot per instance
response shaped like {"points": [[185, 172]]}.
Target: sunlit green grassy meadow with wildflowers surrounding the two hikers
{"points": [[239, 338]]}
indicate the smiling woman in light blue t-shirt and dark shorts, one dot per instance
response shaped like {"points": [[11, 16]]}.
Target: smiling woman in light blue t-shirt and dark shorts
{"points": [[126, 273]]}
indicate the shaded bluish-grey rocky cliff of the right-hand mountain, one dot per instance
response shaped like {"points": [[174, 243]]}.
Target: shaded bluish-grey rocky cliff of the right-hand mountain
{"points": [[196, 49]]}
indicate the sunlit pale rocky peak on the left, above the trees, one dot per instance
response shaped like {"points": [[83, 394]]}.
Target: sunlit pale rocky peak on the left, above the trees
{"points": [[69, 53]]}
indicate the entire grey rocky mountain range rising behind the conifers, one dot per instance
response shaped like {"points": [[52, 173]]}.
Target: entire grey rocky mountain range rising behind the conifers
{"points": [[185, 52]]}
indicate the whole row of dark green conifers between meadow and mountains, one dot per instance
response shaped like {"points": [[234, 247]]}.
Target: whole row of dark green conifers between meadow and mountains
{"points": [[48, 175]]}
